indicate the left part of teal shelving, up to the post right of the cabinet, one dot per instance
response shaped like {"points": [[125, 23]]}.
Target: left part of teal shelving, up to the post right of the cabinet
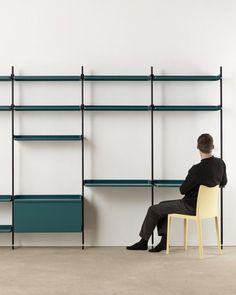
{"points": [[43, 213]]}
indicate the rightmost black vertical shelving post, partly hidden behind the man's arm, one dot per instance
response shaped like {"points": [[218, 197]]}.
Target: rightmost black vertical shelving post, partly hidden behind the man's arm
{"points": [[221, 155]]}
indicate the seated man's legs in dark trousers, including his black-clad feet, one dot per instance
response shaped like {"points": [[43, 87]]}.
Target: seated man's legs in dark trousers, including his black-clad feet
{"points": [[157, 216]]}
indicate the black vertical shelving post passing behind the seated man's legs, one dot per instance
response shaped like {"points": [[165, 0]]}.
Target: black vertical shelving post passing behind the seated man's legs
{"points": [[152, 146]]}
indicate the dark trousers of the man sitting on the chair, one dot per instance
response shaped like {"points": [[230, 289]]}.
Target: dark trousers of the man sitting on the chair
{"points": [[157, 216]]}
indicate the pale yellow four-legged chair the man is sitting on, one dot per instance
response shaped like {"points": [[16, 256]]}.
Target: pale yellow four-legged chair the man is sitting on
{"points": [[207, 207]]}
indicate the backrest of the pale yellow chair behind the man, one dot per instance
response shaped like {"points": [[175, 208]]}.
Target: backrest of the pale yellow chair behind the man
{"points": [[207, 201]]}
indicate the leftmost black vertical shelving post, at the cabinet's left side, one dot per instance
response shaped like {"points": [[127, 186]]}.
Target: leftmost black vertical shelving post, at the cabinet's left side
{"points": [[13, 157]]}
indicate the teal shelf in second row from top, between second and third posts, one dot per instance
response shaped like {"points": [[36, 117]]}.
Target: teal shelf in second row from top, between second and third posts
{"points": [[116, 108]]}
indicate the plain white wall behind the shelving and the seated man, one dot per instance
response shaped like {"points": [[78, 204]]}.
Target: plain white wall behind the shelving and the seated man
{"points": [[115, 37]]}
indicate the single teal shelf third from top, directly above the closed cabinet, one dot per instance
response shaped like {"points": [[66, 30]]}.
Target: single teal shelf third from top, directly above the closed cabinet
{"points": [[47, 137]]}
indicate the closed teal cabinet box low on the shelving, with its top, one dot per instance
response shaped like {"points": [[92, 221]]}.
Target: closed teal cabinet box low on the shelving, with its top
{"points": [[51, 213]]}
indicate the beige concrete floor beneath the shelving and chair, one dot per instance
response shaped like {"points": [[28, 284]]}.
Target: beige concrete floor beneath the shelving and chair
{"points": [[114, 270]]}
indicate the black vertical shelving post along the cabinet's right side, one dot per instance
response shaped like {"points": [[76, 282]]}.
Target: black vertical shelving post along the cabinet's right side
{"points": [[82, 127]]}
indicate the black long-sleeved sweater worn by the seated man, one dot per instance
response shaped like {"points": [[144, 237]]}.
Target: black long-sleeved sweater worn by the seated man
{"points": [[210, 172]]}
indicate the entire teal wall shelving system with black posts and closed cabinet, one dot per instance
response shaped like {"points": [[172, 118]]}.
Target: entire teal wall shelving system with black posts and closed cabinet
{"points": [[68, 210]]}
